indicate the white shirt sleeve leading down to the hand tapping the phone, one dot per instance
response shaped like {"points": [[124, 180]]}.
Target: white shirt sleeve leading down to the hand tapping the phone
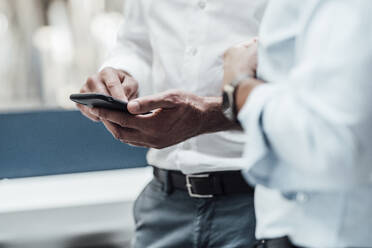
{"points": [[132, 52]]}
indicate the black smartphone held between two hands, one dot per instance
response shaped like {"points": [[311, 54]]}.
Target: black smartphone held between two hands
{"points": [[100, 101]]}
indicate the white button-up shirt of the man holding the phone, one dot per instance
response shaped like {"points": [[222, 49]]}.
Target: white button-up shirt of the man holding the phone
{"points": [[178, 44]]}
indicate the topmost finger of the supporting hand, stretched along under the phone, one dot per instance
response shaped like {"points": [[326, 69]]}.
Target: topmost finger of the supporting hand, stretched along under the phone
{"points": [[119, 118]]}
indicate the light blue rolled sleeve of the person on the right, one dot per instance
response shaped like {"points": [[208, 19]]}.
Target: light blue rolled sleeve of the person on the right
{"points": [[311, 129]]}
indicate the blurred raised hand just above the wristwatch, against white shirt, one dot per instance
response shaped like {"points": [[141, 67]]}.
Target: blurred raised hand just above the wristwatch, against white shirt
{"points": [[240, 60]]}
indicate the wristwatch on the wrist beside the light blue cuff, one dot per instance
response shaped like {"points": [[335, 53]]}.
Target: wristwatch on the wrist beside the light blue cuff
{"points": [[229, 99]]}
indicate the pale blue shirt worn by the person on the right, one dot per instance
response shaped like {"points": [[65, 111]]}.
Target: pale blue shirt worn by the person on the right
{"points": [[309, 143]]}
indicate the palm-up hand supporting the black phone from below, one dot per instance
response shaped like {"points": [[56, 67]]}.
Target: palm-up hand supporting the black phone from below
{"points": [[176, 116]]}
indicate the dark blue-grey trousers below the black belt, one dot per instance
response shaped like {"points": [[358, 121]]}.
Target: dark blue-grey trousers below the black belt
{"points": [[177, 220]]}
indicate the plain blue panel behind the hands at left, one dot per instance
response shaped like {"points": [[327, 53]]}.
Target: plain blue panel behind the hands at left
{"points": [[58, 142]]}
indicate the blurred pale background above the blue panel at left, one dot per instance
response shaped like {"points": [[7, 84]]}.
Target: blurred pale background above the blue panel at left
{"points": [[49, 47]]}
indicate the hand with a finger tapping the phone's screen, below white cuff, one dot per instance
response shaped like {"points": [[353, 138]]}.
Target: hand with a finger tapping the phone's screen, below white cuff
{"points": [[109, 81]]}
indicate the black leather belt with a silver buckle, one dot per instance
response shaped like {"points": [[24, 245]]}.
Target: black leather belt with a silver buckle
{"points": [[205, 185]]}
